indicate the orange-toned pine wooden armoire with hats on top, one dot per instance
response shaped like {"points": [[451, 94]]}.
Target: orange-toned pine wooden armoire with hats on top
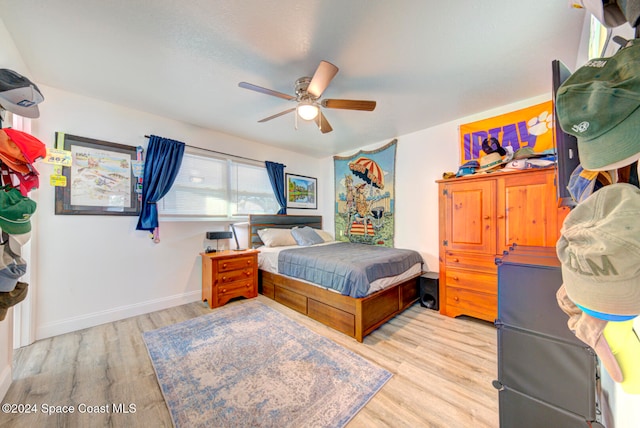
{"points": [[481, 216]]}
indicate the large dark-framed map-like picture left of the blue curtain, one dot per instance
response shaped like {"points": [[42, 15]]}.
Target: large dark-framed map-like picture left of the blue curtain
{"points": [[100, 180]]}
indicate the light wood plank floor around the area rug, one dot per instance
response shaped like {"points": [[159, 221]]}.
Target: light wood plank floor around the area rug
{"points": [[442, 372]]}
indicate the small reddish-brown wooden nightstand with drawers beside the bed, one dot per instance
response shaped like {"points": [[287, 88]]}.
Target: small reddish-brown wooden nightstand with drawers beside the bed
{"points": [[229, 274]]}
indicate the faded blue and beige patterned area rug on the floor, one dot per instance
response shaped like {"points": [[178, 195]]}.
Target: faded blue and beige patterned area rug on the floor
{"points": [[247, 365]]}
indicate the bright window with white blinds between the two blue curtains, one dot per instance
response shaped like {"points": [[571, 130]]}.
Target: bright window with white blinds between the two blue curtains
{"points": [[212, 186]]}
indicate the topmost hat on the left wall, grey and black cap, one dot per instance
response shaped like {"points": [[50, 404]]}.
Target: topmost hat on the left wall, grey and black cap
{"points": [[19, 95]]}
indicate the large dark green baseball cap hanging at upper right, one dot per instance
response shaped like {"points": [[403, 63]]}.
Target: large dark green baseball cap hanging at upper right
{"points": [[600, 104]]}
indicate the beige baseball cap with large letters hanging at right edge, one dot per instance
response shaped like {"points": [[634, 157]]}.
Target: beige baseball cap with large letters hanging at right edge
{"points": [[599, 249]]}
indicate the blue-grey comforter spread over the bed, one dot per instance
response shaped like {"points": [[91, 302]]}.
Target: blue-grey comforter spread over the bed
{"points": [[346, 267]]}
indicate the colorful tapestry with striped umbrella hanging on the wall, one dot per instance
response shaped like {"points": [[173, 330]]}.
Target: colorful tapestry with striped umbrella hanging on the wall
{"points": [[364, 192]]}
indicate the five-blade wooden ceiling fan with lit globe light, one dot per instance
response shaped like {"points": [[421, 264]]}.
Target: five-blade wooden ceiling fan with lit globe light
{"points": [[308, 92]]}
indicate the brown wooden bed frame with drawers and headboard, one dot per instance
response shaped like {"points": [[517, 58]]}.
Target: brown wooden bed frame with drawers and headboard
{"points": [[355, 317]]}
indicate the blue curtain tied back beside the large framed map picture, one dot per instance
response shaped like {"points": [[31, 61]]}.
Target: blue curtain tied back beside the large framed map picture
{"points": [[161, 167]]}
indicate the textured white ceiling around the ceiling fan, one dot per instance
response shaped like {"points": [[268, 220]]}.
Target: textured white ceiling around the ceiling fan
{"points": [[424, 62]]}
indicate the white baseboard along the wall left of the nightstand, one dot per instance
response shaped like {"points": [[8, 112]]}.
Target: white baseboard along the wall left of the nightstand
{"points": [[90, 320]]}
